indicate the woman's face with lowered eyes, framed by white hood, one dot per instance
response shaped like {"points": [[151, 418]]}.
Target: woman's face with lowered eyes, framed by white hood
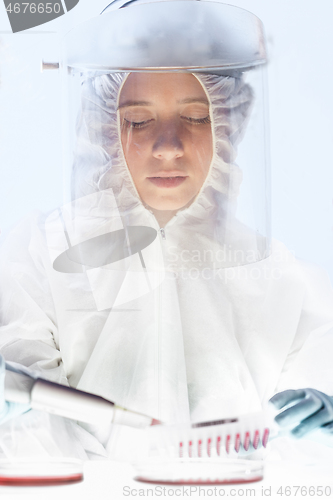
{"points": [[166, 137]]}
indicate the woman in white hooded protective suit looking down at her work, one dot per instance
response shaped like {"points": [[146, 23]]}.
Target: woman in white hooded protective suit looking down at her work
{"points": [[146, 288]]}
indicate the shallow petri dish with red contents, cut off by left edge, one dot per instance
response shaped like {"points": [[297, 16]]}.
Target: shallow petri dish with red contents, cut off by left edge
{"points": [[41, 472]]}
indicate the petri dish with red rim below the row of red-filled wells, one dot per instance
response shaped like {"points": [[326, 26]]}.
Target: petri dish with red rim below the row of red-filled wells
{"points": [[199, 471]]}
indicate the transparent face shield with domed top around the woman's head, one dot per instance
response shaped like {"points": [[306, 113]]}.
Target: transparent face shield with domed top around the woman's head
{"points": [[177, 128]]}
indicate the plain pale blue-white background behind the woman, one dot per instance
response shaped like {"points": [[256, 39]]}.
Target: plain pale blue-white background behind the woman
{"points": [[300, 41]]}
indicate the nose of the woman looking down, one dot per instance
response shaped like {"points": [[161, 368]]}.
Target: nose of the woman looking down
{"points": [[168, 144]]}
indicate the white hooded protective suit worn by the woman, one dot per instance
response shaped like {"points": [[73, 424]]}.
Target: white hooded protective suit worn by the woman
{"points": [[196, 334]]}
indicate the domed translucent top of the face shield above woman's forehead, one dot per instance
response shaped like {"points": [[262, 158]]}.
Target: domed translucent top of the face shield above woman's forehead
{"points": [[168, 35]]}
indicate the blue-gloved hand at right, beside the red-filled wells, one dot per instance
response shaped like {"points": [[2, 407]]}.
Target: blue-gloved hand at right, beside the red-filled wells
{"points": [[310, 410]]}
